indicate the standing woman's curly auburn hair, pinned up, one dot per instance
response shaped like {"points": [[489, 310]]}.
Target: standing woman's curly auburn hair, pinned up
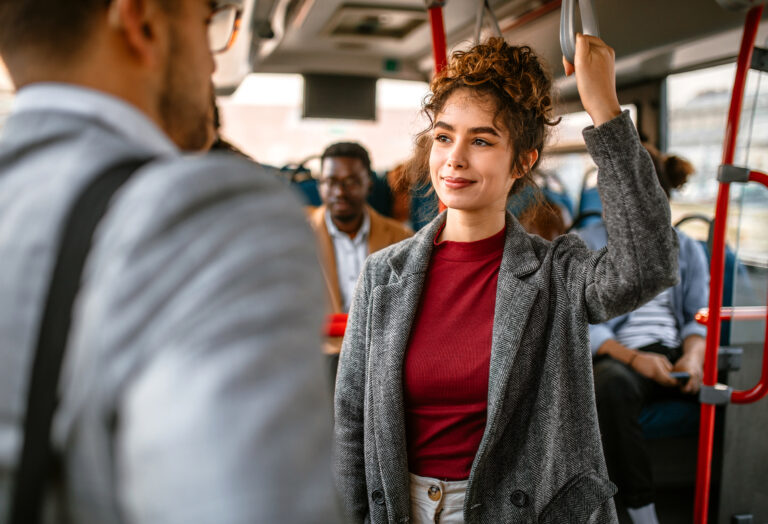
{"points": [[510, 78]]}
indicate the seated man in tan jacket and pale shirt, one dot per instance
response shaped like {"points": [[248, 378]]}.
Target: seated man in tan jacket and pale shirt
{"points": [[347, 229]]}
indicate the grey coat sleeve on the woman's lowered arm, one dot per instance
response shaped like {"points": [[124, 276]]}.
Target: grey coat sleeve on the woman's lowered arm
{"points": [[349, 408]]}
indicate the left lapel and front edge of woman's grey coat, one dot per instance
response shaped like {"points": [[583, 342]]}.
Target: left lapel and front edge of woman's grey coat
{"points": [[389, 338]]}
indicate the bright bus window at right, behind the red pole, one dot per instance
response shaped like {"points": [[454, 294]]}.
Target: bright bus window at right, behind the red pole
{"points": [[697, 105]]}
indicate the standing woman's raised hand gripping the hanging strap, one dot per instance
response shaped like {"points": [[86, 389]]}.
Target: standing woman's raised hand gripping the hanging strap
{"points": [[595, 78]]}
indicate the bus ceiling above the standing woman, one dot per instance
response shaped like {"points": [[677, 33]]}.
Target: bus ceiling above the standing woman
{"points": [[391, 39]]}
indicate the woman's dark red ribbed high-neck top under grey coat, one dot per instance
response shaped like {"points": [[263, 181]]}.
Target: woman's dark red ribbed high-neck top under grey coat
{"points": [[447, 361]]}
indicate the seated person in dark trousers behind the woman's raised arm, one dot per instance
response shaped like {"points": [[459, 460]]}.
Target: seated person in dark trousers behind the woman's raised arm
{"points": [[635, 354]]}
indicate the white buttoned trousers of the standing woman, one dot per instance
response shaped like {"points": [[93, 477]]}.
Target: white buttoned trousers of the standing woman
{"points": [[437, 502]]}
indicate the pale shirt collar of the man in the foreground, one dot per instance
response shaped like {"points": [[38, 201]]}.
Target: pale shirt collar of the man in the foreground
{"points": [[113, 112]]}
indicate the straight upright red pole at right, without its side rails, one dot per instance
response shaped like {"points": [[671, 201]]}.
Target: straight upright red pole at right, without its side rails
{"points": [[707, 421]]}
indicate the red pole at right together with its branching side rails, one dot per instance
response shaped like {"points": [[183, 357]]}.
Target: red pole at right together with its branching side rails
{"points": [[711, 393]]}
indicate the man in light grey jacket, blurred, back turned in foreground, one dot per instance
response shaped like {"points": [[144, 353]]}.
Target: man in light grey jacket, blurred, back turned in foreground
{"points": [[191, 388]]}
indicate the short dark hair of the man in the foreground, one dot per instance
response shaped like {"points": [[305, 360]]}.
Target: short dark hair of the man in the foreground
{"points": [[56, 28]]}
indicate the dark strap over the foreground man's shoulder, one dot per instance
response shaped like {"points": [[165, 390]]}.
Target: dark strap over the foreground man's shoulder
{"points": [[42, 398]]}
